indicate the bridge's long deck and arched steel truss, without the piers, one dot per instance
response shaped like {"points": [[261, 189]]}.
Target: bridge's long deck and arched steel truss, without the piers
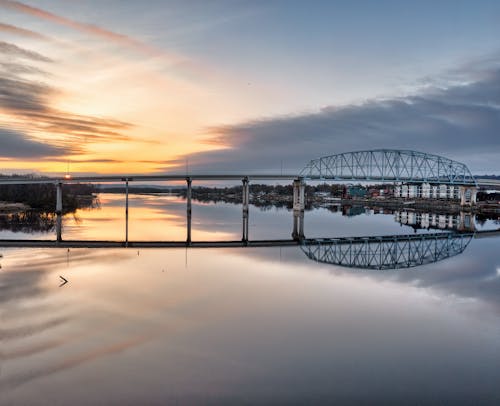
{"points": [[385, 165]]}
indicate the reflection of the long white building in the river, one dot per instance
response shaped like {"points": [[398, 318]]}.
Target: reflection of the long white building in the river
{"points": [[461, 222]]}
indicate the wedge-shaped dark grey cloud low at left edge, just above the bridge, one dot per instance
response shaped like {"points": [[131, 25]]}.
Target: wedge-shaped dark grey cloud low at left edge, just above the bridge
{"points": [[18, 145]]}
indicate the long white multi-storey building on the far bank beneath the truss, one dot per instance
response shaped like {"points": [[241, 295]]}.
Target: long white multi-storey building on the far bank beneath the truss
{"points": [[466, 195]]}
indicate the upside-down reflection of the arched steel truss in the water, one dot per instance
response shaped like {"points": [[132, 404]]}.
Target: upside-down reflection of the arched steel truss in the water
{"points": [[386, 252]]}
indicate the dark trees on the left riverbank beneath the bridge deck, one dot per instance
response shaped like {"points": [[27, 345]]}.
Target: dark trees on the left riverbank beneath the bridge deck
{"points": [[43, 196]]}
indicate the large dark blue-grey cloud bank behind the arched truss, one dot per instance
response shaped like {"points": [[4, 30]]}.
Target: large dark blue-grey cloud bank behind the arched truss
{"points": [[461, 122]]}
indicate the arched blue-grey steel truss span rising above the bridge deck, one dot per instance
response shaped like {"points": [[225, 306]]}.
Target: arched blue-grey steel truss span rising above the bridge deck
{"points": [[389, 165]]}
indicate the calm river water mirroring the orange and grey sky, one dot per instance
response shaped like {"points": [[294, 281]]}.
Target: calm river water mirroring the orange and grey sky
{"points": [[242, 325]]}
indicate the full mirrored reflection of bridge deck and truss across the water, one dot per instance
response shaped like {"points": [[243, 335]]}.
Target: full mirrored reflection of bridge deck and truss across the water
{"points": [[372, 252]]}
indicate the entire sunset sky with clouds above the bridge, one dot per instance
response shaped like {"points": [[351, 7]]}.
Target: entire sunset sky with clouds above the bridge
{"points": [[121, 86]]}
